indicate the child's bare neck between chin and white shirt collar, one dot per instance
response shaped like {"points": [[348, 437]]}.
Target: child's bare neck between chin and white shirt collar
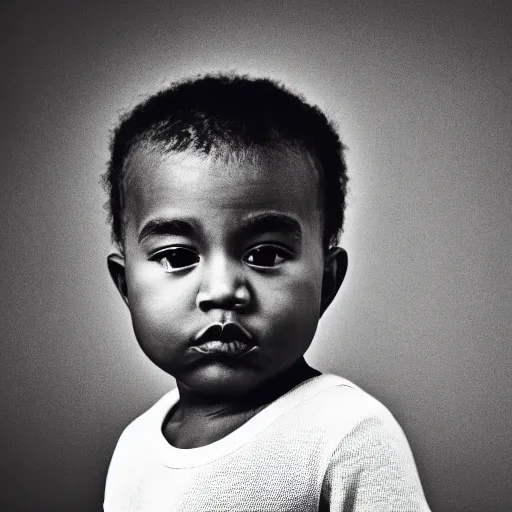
{"points": [[197, 421]]}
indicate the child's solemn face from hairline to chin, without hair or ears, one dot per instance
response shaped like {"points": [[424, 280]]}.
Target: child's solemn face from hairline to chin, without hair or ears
{"points": [[209, 241]]}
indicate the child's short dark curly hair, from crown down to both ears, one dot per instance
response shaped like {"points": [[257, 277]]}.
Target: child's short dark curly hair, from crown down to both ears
{"points": [[236, 112]]}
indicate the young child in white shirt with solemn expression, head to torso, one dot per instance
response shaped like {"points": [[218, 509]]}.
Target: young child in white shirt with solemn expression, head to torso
{"points": [[226, 198]]}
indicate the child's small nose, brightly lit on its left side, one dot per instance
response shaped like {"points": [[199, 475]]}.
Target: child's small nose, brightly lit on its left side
{"points": [[223, 286]]}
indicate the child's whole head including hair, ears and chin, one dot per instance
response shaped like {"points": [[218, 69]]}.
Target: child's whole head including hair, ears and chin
{"points": [[226, 200]]}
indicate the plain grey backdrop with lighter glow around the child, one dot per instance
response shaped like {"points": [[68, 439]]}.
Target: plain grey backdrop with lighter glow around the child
{"points": [[421, 92]]}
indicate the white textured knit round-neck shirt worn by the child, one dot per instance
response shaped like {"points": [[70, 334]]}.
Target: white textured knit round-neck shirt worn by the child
{"points": [[326, 445]]}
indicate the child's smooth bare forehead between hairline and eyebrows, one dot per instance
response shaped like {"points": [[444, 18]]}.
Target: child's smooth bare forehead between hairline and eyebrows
{"points": [[275, 172]]}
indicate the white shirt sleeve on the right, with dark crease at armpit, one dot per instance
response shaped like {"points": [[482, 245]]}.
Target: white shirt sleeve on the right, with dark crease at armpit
{"points": [[373, 470]]}
